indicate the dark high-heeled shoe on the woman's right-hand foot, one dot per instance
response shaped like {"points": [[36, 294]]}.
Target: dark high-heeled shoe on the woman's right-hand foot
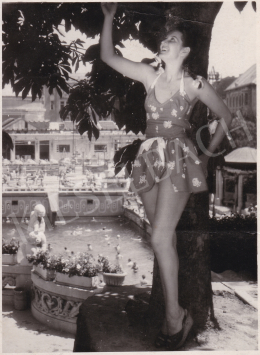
{"points": [[175, 341]]}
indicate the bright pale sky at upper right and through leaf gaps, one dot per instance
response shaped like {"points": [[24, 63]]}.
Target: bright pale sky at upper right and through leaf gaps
{"points": [[232, 48]]}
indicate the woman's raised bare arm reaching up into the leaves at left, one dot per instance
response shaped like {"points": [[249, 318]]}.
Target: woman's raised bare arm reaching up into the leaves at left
{"points": [[137, 71]]}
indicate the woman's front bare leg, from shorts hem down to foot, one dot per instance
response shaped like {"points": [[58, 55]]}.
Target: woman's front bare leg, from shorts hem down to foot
{"points": [[168, 210]]}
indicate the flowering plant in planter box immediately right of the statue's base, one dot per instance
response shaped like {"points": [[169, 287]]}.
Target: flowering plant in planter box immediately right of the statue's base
{"points": [[43, 264]]}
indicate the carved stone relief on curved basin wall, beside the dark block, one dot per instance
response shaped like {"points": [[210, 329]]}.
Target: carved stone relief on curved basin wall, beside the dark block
{"points": [[54, 305]]}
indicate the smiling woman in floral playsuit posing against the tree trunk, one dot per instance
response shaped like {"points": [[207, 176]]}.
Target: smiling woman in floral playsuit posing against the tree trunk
{"points": [[167, 168]]}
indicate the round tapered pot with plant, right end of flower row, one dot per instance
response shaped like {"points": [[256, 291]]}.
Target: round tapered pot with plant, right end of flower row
{"points": [[113, 274]]}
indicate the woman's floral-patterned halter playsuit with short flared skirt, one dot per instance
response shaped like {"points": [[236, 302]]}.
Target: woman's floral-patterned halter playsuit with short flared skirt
{"points": [[167, 151]]}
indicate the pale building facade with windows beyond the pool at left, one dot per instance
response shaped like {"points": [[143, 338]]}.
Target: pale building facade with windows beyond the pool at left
{"points": [[39, 133]]}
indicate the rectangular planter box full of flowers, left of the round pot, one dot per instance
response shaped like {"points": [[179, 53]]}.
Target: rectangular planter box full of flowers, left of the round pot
{"points": [[78, 270]]}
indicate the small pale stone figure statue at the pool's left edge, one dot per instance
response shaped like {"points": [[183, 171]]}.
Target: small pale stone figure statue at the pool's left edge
{"points": [[35, 238]]}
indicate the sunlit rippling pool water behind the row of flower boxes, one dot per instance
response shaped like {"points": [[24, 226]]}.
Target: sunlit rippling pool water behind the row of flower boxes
{"points": [[99, 236]]}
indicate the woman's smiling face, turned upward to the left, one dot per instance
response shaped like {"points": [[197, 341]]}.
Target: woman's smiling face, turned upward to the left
{"points": [[172, 46]]}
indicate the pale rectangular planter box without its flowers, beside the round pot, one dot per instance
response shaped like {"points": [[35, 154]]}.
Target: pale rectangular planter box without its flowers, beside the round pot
{"points": [[77, 281]]}
